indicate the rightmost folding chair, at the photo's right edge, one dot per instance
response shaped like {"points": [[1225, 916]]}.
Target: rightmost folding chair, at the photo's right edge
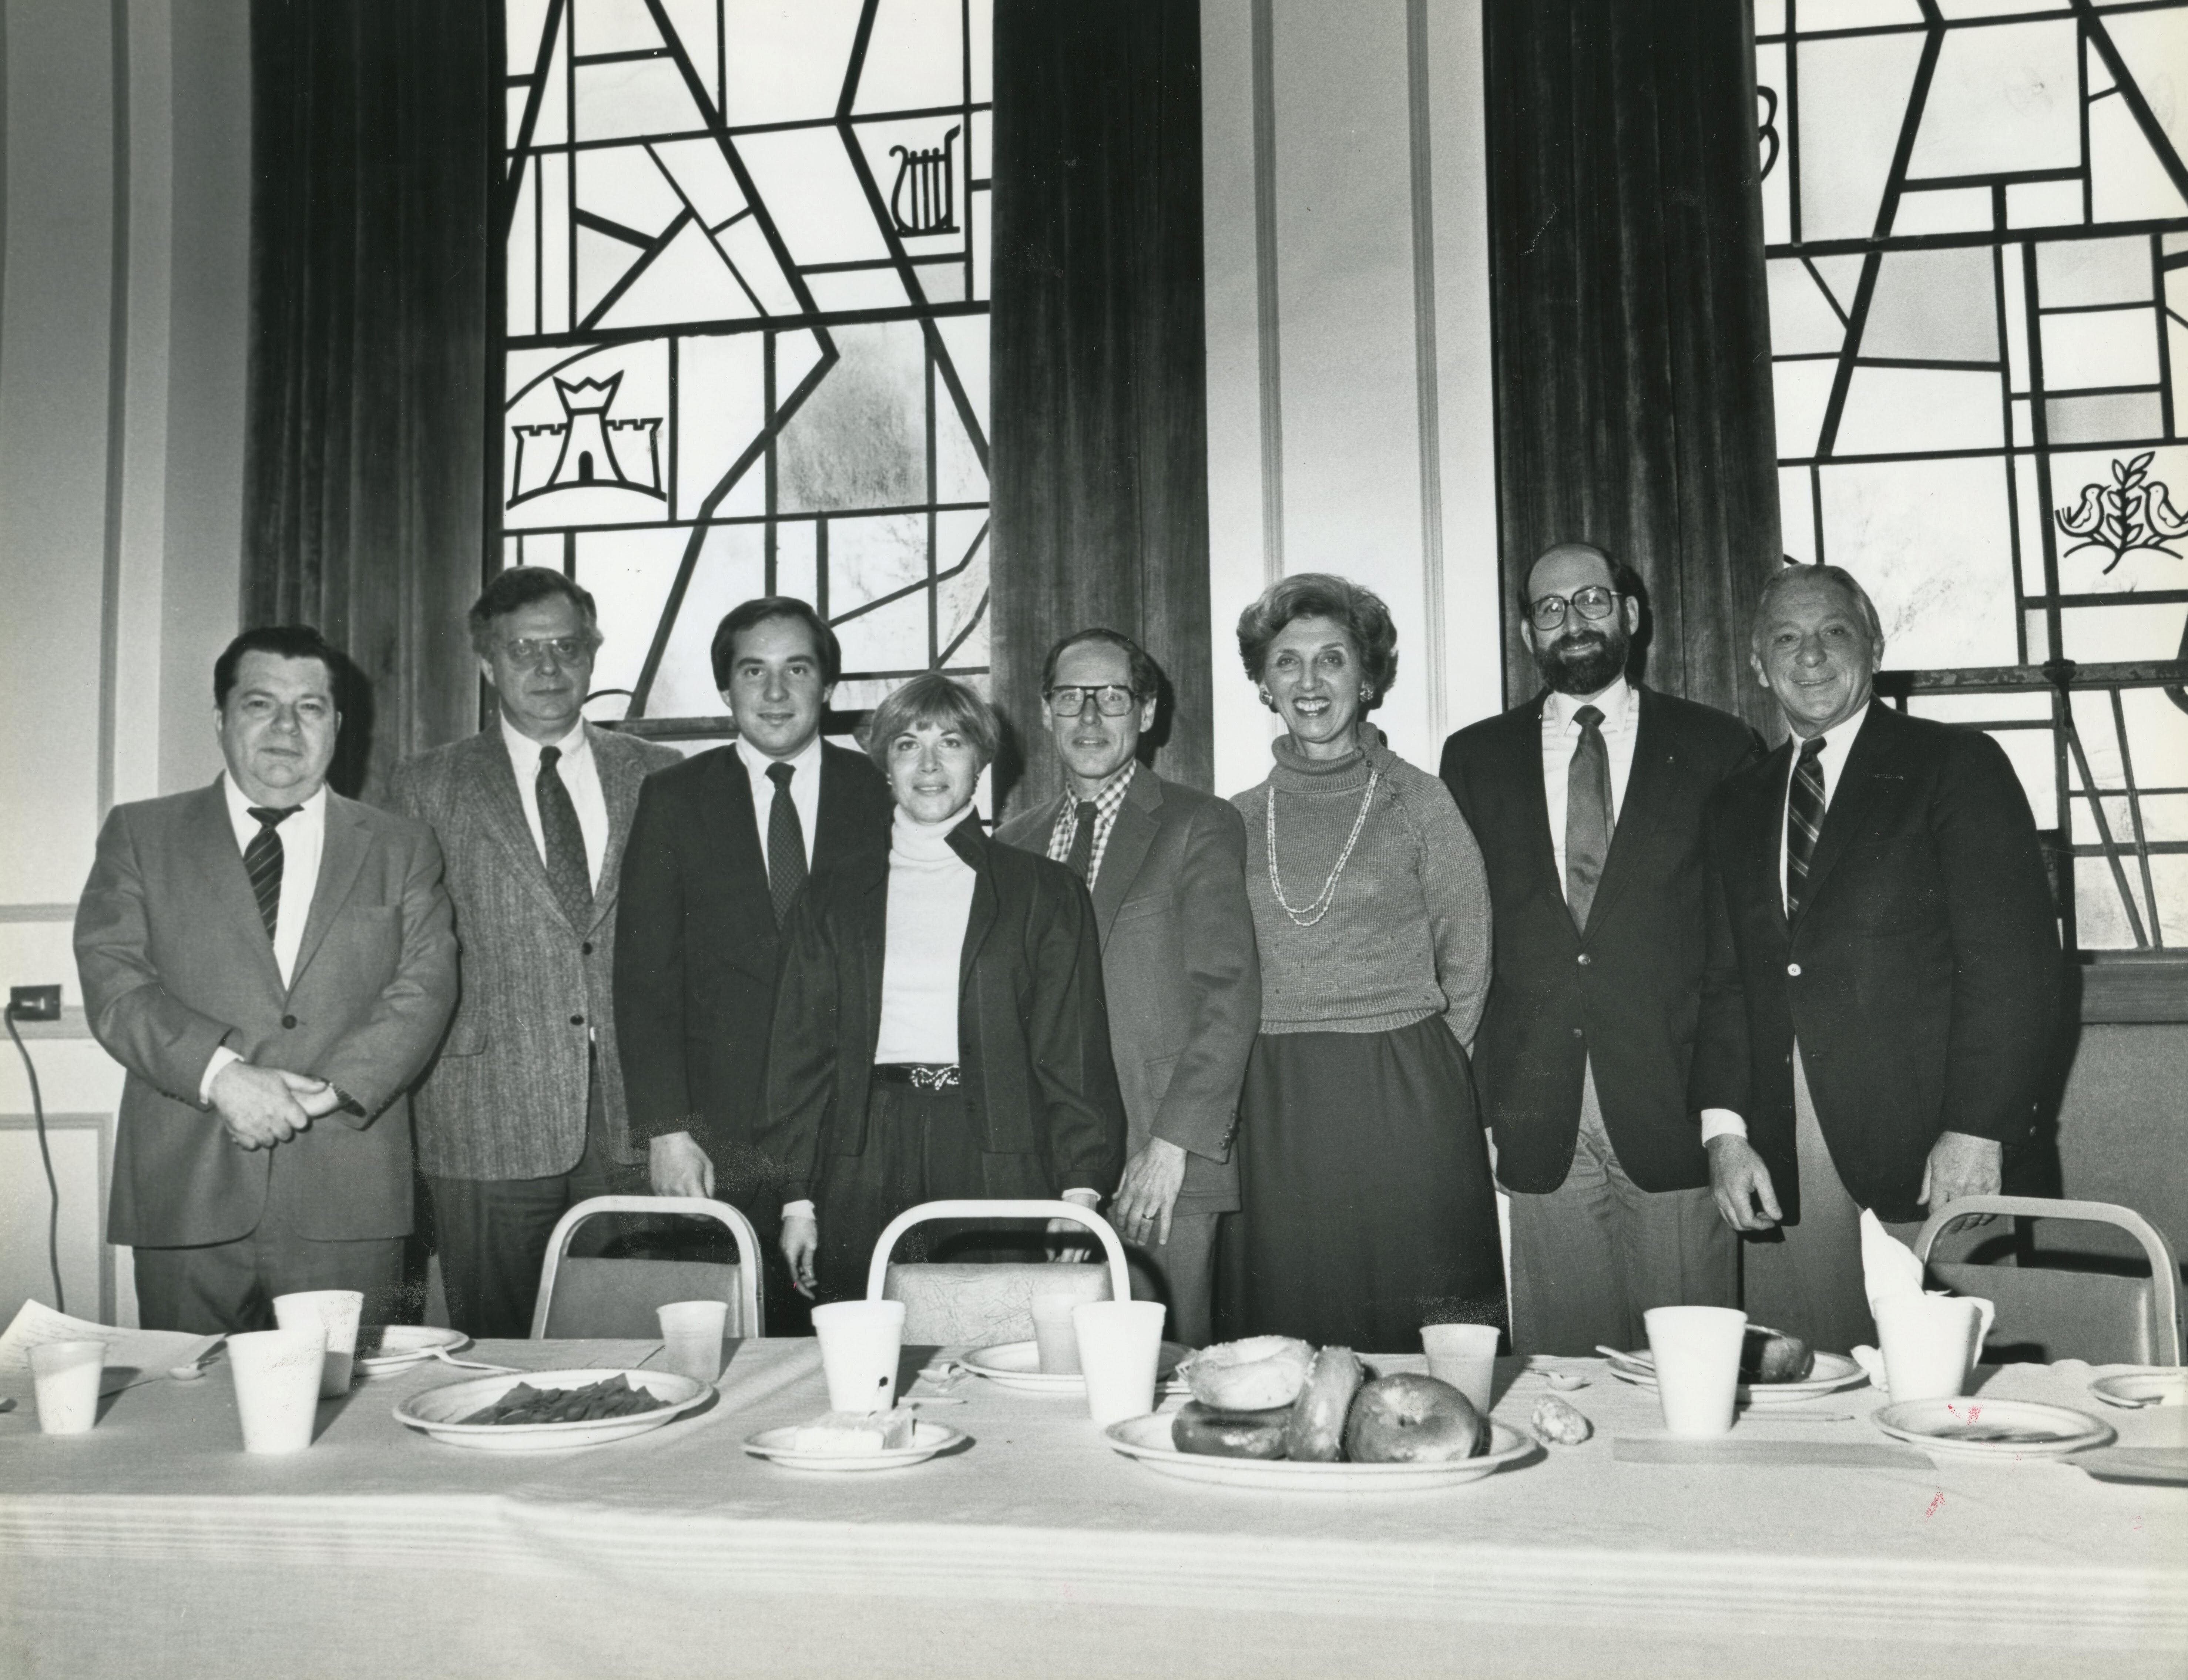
{"points": [[2091, 1316]]}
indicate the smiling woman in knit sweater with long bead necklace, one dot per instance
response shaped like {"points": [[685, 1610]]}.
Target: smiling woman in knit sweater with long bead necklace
{"points": [[1366, 1198]]}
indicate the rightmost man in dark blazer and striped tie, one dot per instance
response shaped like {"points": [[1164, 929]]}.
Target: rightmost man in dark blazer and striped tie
{"points": [[1883, 1005]]}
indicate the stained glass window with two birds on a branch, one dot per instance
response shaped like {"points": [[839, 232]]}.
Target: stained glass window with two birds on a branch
{"points": [[1977, 235]]}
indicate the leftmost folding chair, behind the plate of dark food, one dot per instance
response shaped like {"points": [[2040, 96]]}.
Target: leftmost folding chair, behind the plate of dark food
{"points": [[585, 1296]]}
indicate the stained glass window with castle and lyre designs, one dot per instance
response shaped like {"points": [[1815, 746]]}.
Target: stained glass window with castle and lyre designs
{"points": [[745, 336]]}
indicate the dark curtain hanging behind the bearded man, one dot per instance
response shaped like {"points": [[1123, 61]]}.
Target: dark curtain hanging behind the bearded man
{"points": [[1631, 325]]}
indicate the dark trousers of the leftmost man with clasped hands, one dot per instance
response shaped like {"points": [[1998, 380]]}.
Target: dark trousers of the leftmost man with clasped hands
{"points": [[226, 1287]]}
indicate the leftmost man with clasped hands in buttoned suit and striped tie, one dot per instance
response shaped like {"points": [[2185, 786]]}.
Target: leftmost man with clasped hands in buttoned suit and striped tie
{"points": [[272, 966]]}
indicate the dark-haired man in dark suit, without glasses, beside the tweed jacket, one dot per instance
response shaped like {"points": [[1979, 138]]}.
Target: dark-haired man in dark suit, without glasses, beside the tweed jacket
{"points": [[719, 852]]}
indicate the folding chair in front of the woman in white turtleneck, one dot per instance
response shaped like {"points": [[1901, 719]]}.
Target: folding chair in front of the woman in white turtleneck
{"points": [[984, 1305]]}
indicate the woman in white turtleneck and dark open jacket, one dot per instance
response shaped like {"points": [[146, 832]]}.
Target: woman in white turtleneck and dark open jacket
{"points": [[940, 1027]]}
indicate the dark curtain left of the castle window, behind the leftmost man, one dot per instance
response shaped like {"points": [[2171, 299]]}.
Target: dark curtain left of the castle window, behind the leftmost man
{"points": [[373, 150]]}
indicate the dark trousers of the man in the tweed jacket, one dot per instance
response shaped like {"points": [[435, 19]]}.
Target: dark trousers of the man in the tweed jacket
{"points": [[491, 1235]]}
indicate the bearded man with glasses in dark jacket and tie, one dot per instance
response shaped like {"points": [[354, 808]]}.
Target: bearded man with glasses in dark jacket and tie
{"points": [[1590, 804]]}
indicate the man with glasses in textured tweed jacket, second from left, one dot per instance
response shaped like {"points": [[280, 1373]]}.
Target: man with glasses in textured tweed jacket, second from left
{"points": [[522, 1117]]}
